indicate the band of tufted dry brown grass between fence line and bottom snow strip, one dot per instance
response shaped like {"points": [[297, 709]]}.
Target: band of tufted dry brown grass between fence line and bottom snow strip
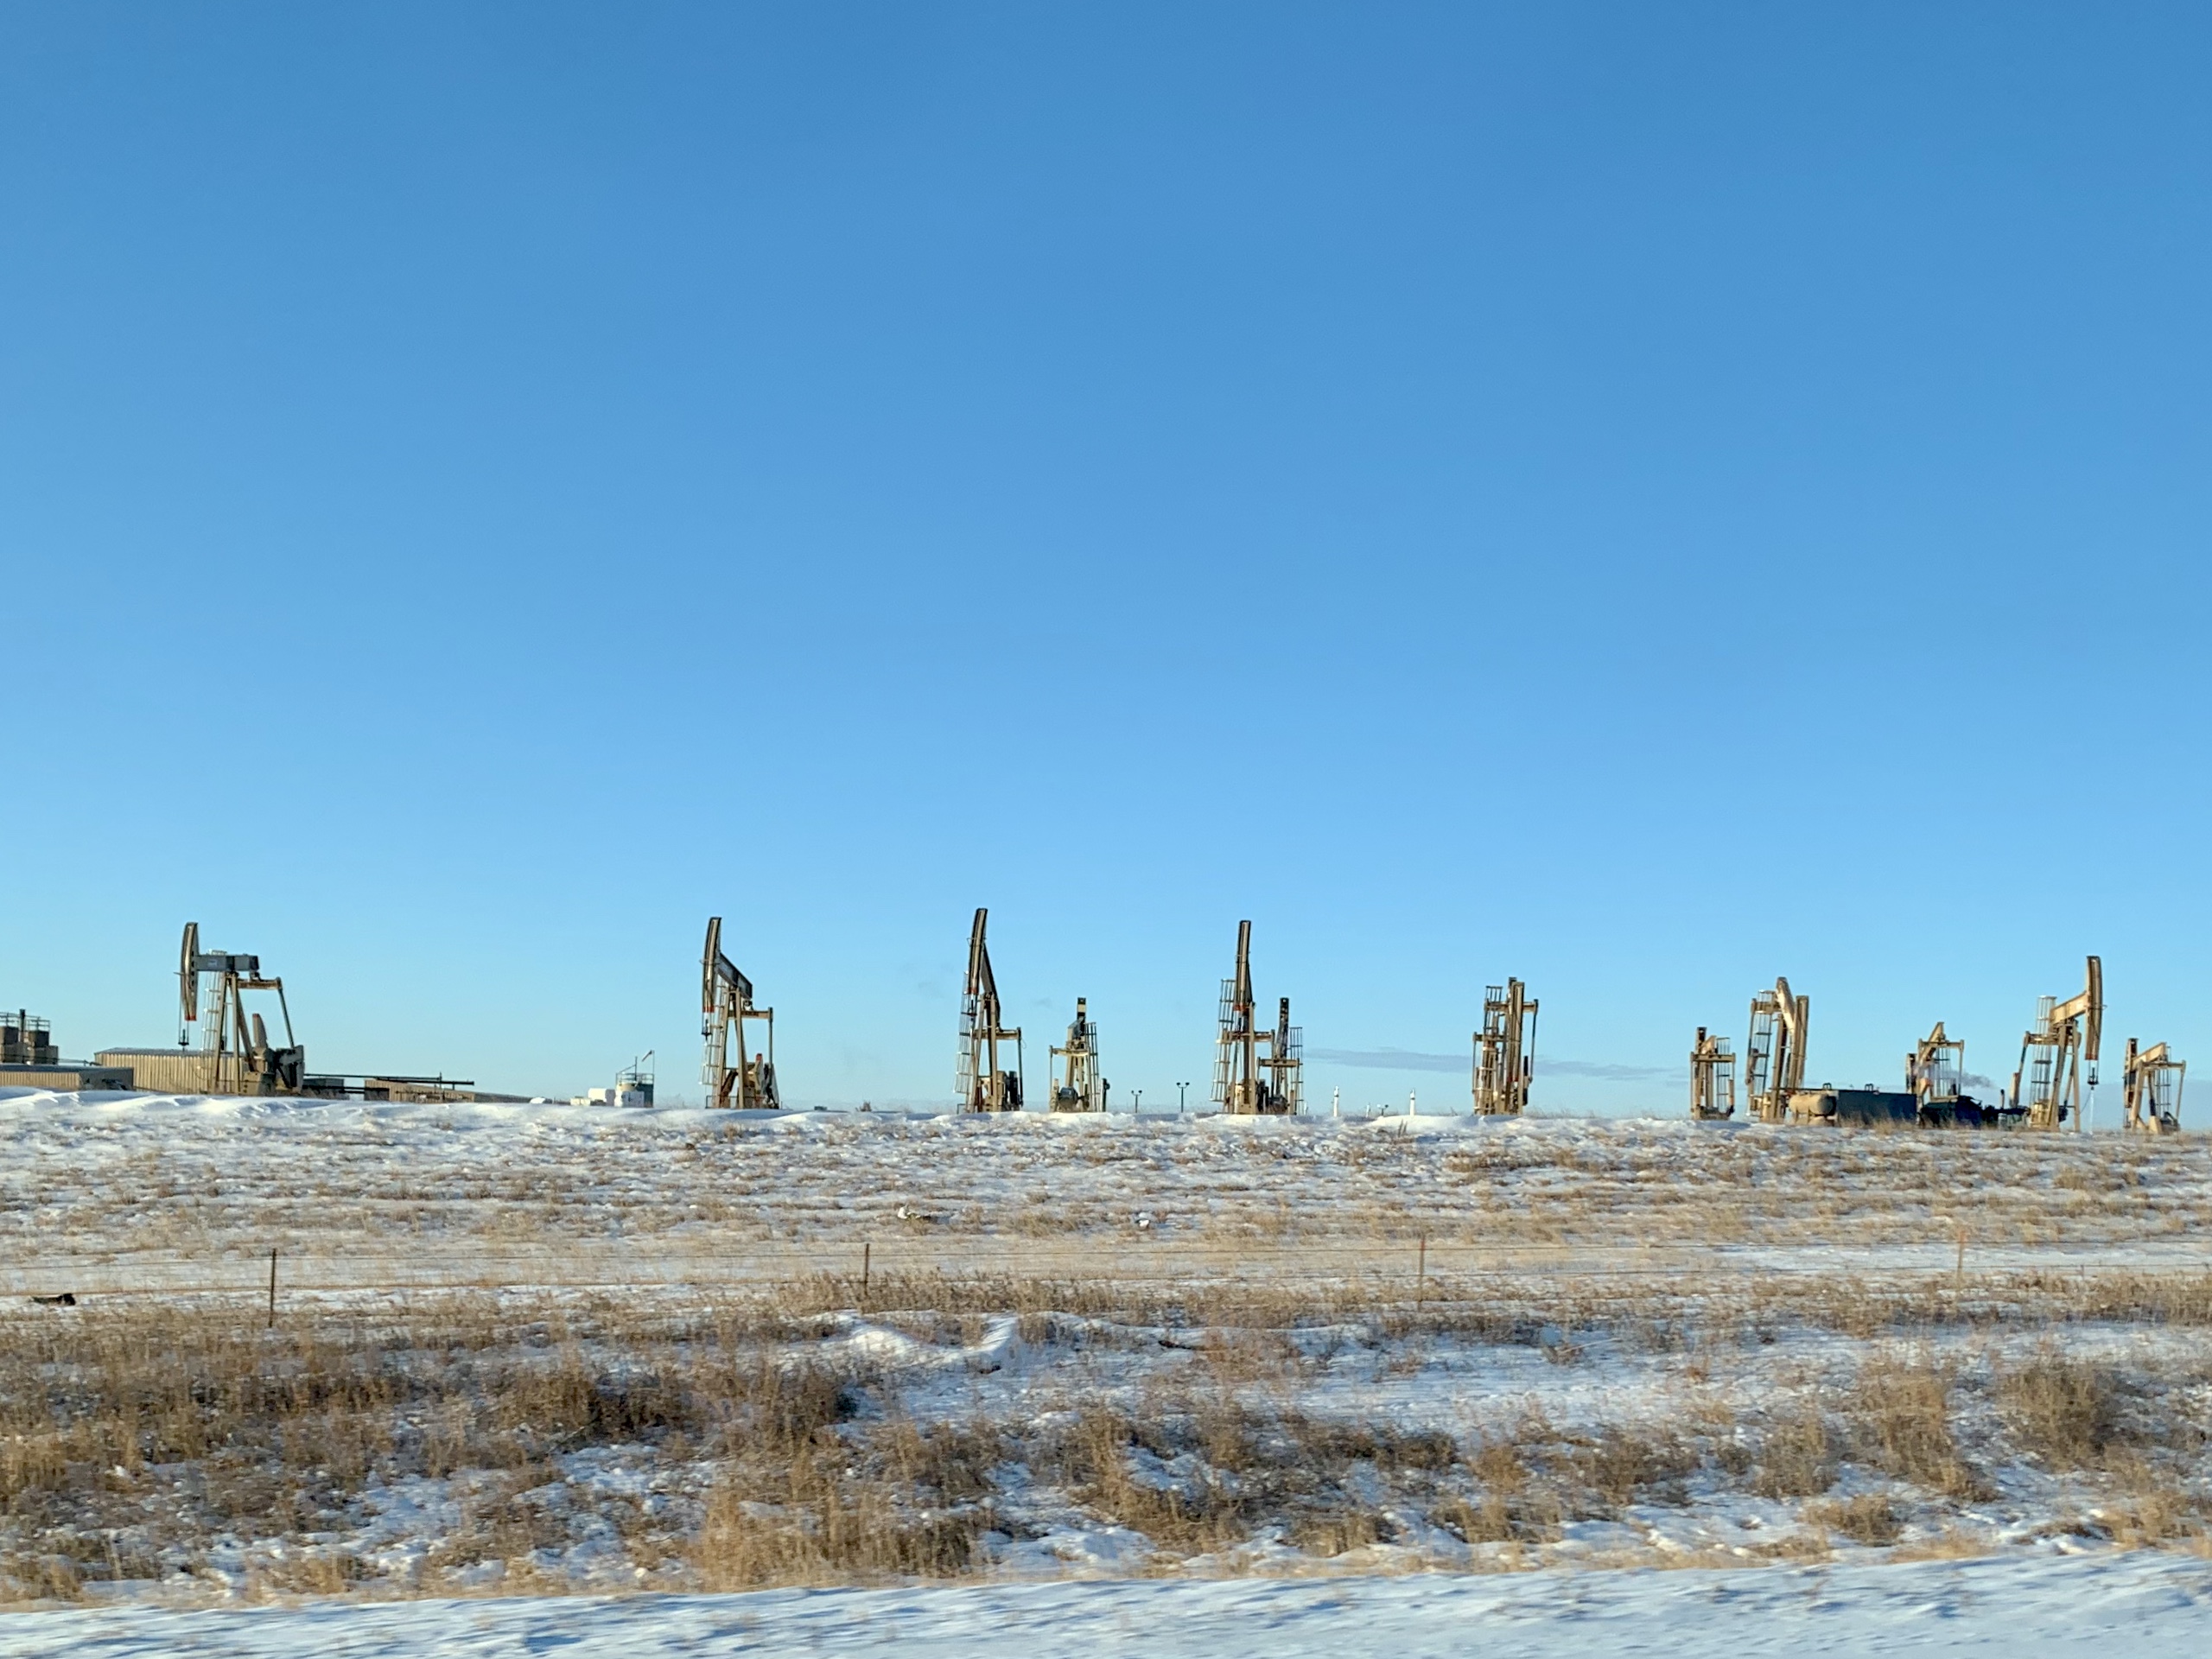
{"points": [[132, 1437]]}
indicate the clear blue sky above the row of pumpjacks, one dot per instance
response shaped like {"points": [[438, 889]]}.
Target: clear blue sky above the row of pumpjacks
{"points": [[1645, 499]]}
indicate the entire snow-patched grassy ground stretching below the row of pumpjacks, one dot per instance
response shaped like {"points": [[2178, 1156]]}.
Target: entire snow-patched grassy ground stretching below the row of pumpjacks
{"points": [[532, 1350]]}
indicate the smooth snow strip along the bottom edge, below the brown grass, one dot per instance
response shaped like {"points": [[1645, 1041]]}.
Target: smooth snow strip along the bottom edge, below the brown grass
{"points": [[2151, 1607]]}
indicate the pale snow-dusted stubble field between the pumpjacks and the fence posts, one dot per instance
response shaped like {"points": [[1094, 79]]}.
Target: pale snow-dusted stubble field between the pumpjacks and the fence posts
{"points": [[154, 1193]]}
